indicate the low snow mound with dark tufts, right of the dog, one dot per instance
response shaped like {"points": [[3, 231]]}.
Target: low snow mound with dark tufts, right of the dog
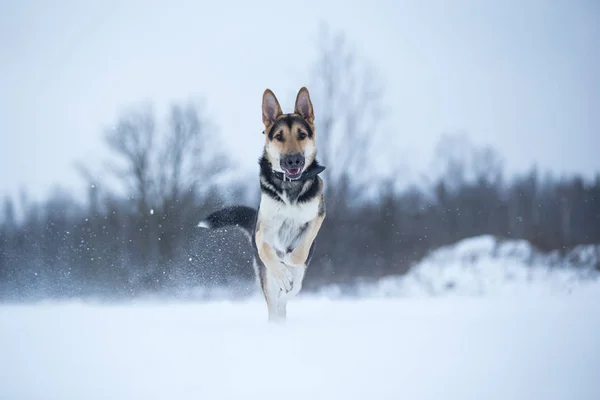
{"points": [[485, 265]]}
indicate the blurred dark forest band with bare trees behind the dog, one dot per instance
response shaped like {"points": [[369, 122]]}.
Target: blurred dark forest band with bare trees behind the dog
{"points": [[140, 237]]}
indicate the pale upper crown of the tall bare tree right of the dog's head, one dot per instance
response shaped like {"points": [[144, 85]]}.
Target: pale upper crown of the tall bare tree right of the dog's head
{"points": [[348, 97]]}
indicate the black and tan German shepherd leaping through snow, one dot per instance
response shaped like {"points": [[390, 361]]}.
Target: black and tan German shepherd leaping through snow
{"points": [[284, 228]]}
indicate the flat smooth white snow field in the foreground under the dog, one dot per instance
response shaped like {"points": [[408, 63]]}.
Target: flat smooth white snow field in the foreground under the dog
{"points": [[451, 347]]}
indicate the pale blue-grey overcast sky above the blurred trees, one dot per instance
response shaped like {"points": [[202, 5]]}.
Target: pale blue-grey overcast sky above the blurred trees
{"points": [[520, 75]]}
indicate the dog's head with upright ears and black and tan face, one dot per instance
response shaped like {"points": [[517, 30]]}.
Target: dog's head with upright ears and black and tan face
{"points": [[290, 140]]}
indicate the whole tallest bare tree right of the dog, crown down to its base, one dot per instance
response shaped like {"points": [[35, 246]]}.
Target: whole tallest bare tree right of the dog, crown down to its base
{"points": [[347, 96]]}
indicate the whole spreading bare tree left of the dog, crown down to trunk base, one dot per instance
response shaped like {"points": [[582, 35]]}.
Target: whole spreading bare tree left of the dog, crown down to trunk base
{"points": [[164, 170]]}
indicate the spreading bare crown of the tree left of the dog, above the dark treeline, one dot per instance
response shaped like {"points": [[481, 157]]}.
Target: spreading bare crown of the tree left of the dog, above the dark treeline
{"points": [[162, 167]]}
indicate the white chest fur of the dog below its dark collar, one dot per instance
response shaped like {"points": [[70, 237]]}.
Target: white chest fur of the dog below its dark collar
{"points": [[284, 223]]}
